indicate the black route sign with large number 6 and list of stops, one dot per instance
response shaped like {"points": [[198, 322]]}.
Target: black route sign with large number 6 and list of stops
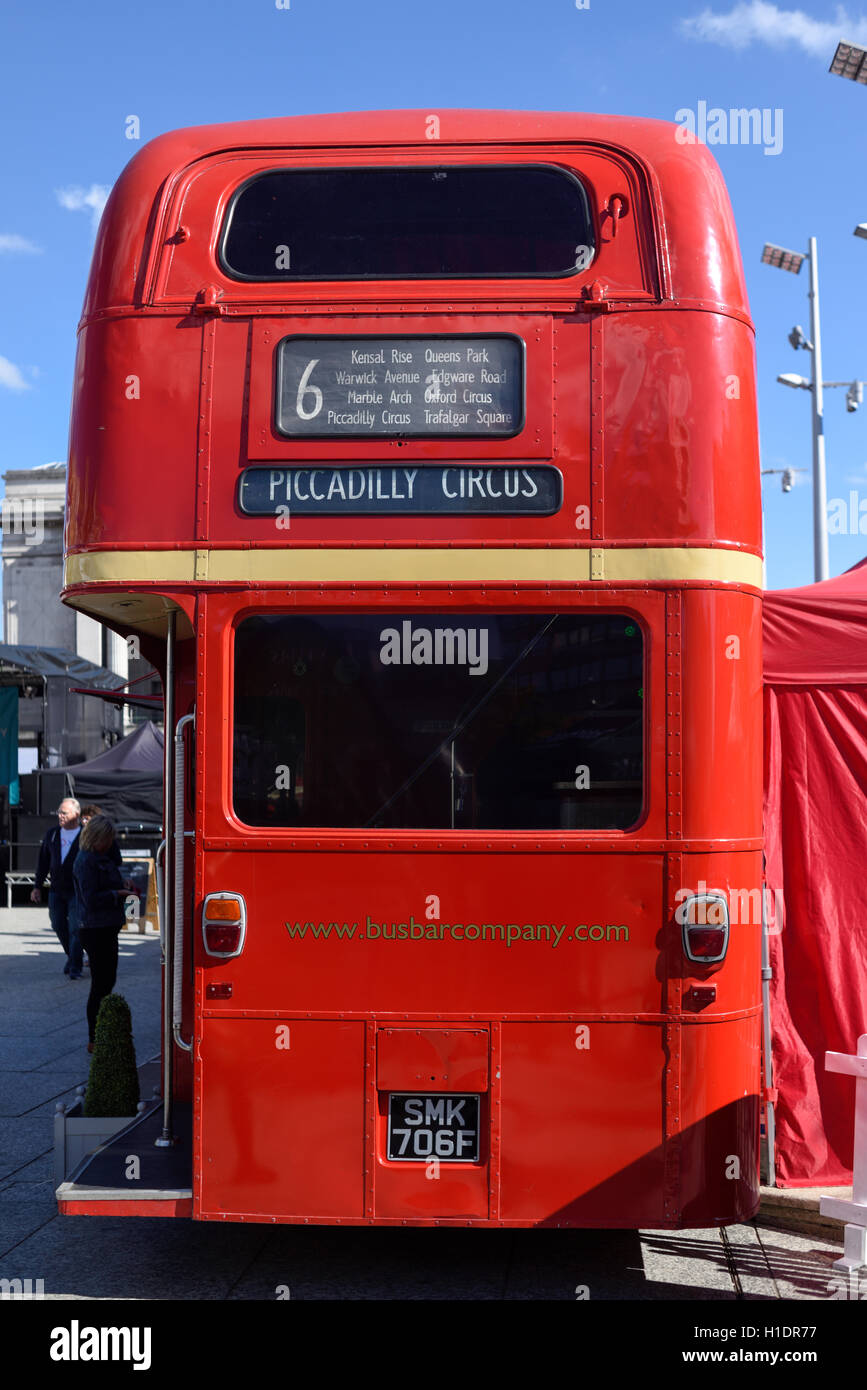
{"points": [[408, 387]]}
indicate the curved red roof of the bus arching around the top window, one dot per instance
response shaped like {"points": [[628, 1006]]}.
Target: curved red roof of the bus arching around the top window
{"points": [[693, 208]]}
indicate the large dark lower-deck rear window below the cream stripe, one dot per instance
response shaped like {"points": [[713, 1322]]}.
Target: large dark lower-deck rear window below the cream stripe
{"points": [[440, 721]]}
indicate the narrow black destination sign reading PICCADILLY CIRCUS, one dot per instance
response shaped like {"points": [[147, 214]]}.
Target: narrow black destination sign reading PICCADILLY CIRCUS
{"points": [[420, 490]]}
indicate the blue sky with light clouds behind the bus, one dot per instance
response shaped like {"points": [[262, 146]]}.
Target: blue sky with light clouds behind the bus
{"points": [[72, 76]]}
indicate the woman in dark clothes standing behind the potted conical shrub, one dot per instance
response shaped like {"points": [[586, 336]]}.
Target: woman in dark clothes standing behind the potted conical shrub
{"points": [[101, 894]]}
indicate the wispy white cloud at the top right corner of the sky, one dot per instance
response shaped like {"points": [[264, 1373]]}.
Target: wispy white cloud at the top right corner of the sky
{"points": [[763, 23]]}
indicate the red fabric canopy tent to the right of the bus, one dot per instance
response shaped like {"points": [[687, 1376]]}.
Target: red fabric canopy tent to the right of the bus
{"points": [[816, 847]]}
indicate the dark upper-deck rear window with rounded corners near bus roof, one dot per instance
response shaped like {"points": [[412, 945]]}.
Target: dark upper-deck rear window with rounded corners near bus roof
{"points": [[405, 223]]}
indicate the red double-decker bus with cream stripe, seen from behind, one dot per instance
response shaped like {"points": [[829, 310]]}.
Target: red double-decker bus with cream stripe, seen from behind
{"points": [[420, 454]]}
